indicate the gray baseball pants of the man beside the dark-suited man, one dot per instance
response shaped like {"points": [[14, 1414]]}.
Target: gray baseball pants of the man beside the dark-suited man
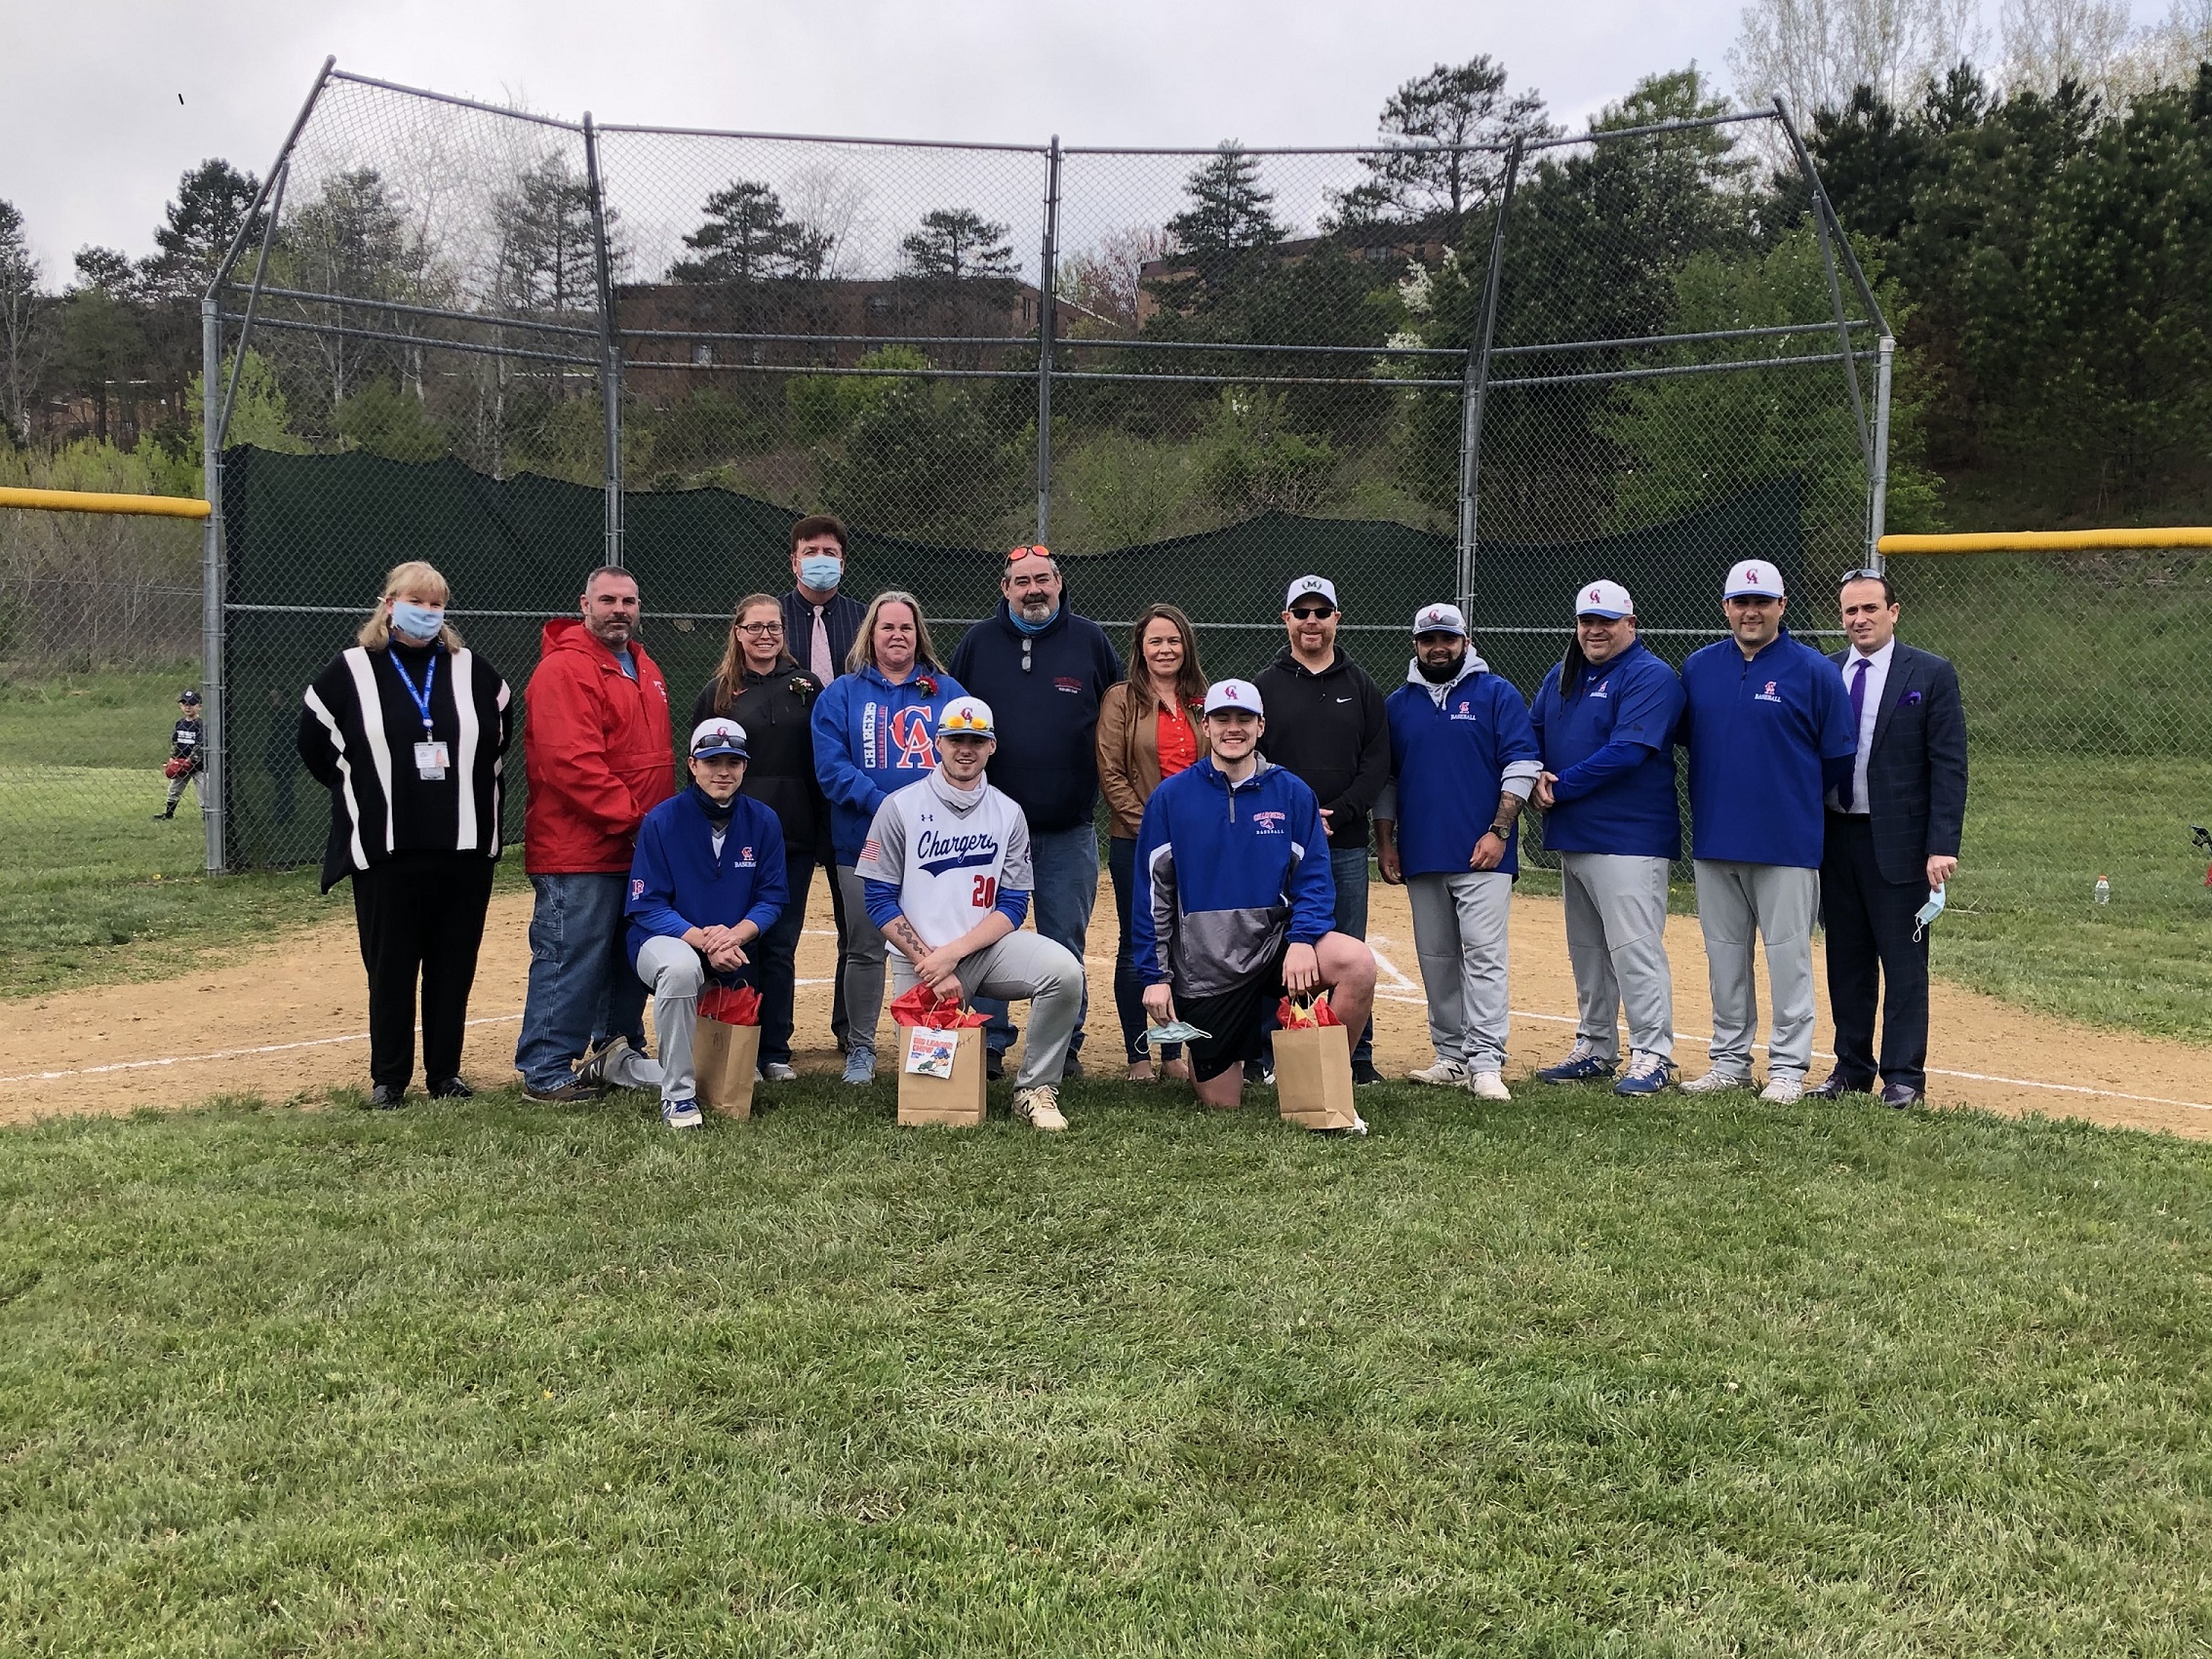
{"points": [[1738, 906]]}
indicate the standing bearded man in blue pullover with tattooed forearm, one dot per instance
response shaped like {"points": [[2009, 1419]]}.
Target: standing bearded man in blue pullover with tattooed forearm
{"points": [[1463, 762]]}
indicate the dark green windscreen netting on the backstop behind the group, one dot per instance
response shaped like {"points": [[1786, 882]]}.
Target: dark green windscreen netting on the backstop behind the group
{"points": [[313, 536]]}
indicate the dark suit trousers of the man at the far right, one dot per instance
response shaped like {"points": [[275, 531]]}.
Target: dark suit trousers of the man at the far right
{"points": [[1872, 957]]}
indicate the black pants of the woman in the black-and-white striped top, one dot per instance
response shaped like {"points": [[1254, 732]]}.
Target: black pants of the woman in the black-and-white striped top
{"points": [[421, 917]]}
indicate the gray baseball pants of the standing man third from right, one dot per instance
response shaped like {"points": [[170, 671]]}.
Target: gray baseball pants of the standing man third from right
{"points": [[1616, 939]]}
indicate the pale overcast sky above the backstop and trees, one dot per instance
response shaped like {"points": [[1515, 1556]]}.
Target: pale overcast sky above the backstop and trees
{"points": [[96, 134]]}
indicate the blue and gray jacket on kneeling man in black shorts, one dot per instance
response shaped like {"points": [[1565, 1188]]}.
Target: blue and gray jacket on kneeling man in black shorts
{"points": [[1227, 873]]}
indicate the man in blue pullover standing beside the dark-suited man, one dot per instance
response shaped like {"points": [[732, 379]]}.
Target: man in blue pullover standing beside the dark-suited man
{"points": [[1768, 729]]}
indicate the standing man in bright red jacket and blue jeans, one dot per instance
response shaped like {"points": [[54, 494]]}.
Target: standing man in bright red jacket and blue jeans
{"points": [[598, 758]]}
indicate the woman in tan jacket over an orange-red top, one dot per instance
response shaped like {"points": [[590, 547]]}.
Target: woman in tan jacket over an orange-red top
{"points": [[1149, 731]]}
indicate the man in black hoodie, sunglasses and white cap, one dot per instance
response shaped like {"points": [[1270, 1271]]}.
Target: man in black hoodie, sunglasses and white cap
{"points": [[1326, 727]]}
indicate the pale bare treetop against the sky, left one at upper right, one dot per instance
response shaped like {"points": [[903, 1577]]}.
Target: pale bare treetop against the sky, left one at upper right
{"points": [[1813, 54]]}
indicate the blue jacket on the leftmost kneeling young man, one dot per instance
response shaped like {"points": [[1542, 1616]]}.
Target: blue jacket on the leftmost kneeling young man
{"points": [[678, 884]]}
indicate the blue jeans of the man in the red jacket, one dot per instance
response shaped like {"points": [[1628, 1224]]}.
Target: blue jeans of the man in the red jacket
{"points": [[581, 977]]}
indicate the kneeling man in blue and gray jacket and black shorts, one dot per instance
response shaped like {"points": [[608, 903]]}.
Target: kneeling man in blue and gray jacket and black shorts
{"points": [[1233, 899]]}
